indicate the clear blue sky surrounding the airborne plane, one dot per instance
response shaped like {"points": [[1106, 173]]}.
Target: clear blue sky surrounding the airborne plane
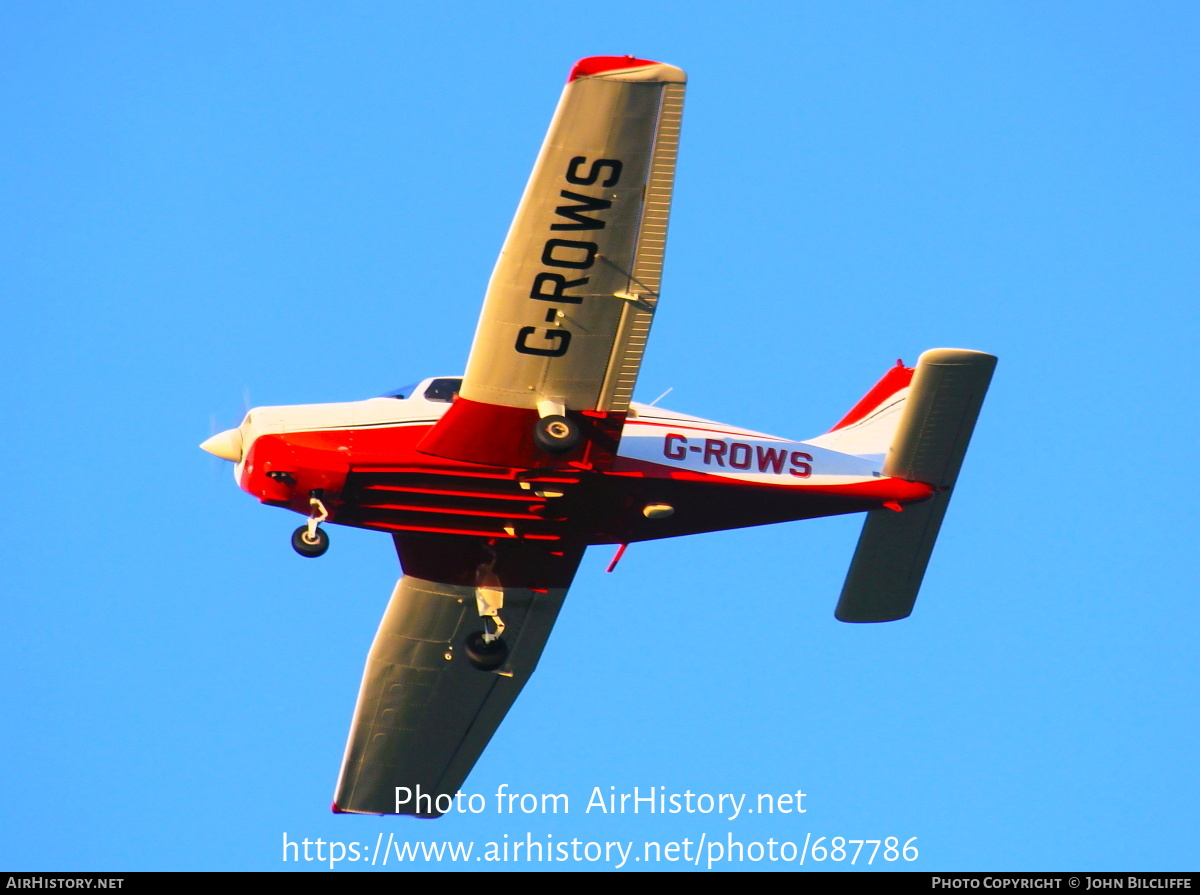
{"points": [[208, 205]]}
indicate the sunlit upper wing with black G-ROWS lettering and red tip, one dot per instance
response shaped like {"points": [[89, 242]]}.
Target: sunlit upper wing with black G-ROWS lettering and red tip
{"points": [[569, 307]]}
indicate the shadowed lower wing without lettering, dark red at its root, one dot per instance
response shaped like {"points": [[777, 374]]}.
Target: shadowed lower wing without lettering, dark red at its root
{"points": [[425, 712]]}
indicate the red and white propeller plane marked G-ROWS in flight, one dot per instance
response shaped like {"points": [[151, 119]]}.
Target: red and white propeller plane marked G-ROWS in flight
{"points": [[494, 484]]}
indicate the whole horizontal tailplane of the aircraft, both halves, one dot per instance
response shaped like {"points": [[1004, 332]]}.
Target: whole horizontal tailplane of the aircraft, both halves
{"points": [[931, 442]]}
